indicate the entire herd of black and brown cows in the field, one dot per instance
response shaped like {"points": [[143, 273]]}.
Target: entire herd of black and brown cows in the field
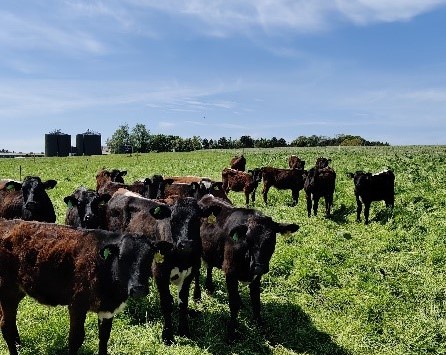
{"points": [[119, 235]]}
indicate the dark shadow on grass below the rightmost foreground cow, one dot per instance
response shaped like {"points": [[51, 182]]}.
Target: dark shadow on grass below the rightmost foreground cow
{"points": [[285, 326]]}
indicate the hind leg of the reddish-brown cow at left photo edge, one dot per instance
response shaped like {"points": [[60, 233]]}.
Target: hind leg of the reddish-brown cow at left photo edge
{"points": [[8, 322]]}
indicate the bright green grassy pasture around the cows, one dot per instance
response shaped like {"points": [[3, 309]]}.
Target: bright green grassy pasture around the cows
{"points": [[334, 287]]}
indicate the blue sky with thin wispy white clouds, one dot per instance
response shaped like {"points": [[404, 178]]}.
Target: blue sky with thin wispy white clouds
{"points": [[282, 68]]}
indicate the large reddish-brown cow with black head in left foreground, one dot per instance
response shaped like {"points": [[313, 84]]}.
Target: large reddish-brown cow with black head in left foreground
{"points": [[85, 269]]}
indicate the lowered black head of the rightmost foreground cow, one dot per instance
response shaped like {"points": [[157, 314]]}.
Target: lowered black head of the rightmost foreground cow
{"points": [[257, 239]]}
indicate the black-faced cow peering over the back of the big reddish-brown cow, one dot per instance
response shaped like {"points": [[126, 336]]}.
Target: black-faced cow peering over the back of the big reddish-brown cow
{"points": [[86, 209]]}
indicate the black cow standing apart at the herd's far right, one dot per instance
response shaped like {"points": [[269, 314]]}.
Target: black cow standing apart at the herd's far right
{"points": [[373, 187]]}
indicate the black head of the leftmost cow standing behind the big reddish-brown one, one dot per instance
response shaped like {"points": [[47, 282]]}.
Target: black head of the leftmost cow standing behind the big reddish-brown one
{"points": [[37, 205]]}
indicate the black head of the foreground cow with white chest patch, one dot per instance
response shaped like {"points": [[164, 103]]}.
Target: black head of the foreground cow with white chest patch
{"points": [[182, 229]]}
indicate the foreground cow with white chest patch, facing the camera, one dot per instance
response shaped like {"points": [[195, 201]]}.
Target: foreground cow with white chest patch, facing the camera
{"points": [[179, 260]]}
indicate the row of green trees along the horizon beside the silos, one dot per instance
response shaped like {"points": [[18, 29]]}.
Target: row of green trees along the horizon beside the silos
{"points": [[139, 140]]}
